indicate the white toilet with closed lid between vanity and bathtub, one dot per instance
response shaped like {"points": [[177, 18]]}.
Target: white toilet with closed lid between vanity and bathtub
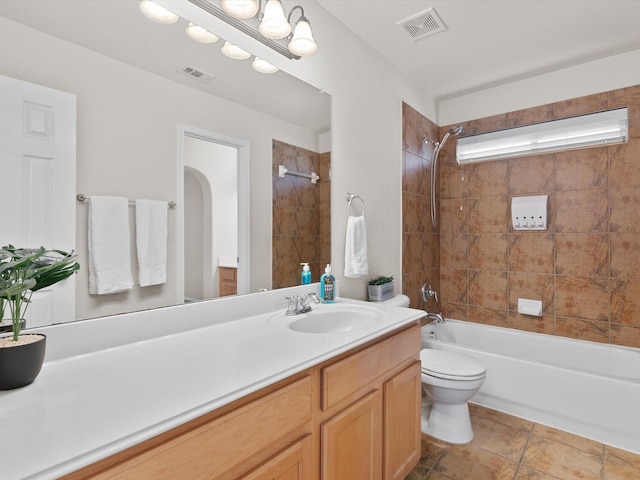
{"points": [[449, 380]]}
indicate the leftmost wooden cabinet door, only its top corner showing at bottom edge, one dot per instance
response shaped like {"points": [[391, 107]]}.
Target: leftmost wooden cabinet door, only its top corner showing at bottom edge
{"points": [[293, 463]]}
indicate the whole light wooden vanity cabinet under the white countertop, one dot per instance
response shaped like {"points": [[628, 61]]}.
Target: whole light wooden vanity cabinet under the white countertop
{"points": [[354, 417]]}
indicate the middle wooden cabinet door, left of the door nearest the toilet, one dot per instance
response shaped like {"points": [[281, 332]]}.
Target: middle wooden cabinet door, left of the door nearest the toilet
{"points": [[352, 441]]}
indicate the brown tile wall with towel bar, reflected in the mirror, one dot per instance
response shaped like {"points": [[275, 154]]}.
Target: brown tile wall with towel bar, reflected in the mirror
{"points": [[301, 215]]}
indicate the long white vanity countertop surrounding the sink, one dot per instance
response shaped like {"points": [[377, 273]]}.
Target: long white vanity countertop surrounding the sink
{"points": [[86, 406]]}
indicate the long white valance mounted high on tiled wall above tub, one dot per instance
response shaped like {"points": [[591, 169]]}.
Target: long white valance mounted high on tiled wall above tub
{"points": [[603, 128]]}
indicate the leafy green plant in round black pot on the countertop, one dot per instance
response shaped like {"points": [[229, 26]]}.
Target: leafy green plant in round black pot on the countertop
{"points": [[22, 272]]}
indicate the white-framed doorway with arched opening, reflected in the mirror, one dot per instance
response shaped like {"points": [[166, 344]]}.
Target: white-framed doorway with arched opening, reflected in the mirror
{"points": [[215, 215]]}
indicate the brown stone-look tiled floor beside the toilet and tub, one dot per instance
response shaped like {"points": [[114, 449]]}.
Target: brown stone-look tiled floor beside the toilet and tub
{"points": [[511, 448]]}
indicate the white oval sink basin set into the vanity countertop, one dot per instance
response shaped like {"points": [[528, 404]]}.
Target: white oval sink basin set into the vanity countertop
{"points": [[329, 319]]}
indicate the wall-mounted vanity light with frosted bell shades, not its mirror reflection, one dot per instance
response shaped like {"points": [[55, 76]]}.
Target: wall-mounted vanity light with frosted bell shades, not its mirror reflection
{"points": [[269, 25]]}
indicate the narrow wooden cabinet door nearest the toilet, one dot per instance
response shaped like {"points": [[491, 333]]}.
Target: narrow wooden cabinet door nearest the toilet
{"points": [[402, 422]]}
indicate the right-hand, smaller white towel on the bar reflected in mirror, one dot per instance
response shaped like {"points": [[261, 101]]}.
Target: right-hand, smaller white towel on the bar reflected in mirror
{"points": [[151, 241]]}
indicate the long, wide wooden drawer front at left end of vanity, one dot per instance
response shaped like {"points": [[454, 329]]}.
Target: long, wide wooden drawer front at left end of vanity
{"points": [[247, 435]]}
